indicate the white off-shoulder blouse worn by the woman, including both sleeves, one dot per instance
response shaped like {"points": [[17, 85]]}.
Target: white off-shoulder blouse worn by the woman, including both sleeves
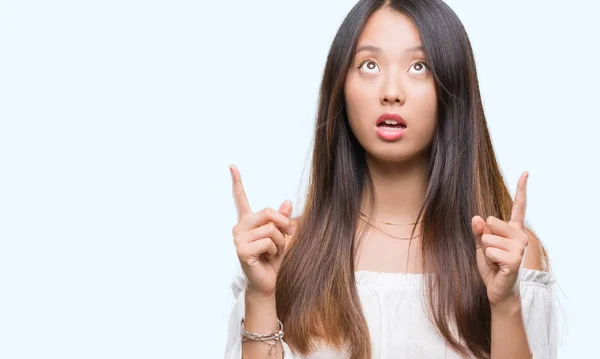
{"points": [[394, 308]]}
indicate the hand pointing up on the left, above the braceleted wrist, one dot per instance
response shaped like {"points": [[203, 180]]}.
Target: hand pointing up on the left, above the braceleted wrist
{"points": [[260, 239]]}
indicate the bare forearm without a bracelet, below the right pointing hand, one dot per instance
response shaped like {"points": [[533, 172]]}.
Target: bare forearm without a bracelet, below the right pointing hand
{"points": [[509, 338]]}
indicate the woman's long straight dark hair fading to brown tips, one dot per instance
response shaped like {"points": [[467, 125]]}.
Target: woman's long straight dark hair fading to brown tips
{"points": [[316, 290]]}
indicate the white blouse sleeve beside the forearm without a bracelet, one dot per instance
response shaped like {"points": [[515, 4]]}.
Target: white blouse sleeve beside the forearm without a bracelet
{"points": [[539, 312]]}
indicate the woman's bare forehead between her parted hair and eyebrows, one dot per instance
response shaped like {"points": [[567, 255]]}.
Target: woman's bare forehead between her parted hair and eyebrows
{"points": [[390, 30]]}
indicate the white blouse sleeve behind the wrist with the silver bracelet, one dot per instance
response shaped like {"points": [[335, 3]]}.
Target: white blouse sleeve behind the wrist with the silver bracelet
{"points": [[233, 348]]}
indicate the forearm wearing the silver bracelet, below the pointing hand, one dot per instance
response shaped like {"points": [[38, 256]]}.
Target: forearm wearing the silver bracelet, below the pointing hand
{"points": [[261, 318]]}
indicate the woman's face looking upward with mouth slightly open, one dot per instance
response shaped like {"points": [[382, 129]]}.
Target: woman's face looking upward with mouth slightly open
{"points": [[389, 76]]}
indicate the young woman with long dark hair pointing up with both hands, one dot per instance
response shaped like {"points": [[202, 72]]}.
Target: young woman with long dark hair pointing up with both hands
{"points": [[410, 244]]}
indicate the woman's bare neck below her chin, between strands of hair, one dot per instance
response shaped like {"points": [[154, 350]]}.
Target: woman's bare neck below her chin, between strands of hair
{"points": [[399, 189]]}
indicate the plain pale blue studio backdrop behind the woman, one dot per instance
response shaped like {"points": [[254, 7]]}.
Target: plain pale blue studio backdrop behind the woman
{"points": [[119, 120]]}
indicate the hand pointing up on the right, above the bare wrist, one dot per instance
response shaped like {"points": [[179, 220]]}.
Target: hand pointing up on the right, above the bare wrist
{"points": [[500, 249]]}
